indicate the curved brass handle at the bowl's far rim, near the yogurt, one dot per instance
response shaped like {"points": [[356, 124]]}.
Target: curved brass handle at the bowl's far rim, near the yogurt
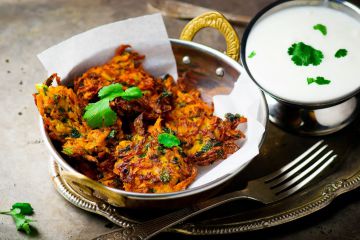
{"points": [[218, 21]]}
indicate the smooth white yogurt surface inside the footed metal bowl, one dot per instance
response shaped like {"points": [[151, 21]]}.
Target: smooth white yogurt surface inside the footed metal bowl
{"points": [[274, 70]]}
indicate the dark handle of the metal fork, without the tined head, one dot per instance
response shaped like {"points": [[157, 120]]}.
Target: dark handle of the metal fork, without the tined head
{"points": [[148, 229]]}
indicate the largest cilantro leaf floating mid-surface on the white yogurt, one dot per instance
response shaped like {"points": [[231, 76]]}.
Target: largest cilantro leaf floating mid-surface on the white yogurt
{"points": [[304, 55]]}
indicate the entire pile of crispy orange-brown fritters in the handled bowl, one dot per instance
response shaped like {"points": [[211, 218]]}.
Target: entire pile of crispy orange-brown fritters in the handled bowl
{"points": [[128, 154]]}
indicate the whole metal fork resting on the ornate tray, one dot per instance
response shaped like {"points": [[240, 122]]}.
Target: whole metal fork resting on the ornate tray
{"points": [[268, 189]]}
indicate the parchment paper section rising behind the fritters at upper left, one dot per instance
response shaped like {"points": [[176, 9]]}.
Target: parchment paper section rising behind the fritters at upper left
{"points": [[147, 35]]}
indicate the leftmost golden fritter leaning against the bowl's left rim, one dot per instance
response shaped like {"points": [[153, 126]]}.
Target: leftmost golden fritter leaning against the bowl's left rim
{"points": [[62, 118]]}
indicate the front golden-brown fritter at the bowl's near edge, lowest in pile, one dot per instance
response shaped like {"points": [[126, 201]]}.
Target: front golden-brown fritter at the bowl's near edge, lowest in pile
{"points": [[146, 166]]}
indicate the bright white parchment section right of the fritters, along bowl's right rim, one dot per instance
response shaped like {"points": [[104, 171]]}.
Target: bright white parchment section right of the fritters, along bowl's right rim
{"points": [[245, 100]]}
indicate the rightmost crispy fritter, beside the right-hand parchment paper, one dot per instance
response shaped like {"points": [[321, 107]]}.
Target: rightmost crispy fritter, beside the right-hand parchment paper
{"points": [[206, 138]]}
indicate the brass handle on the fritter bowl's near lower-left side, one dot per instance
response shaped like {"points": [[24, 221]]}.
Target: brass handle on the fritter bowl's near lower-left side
{"points": [[91, 189]]}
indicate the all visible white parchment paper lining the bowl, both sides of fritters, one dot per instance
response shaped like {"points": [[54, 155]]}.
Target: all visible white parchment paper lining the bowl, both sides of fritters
{"points": [[148, 36]]}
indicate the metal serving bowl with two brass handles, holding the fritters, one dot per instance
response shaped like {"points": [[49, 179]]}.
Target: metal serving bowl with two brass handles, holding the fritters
{"points": [[214, 73]]}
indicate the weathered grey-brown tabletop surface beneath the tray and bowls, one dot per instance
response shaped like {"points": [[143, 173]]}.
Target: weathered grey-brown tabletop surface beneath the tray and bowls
{"points": [[29, 27]]}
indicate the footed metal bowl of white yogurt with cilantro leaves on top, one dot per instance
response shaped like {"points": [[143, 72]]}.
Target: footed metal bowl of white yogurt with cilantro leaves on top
{"points": [[305, 55]]}
